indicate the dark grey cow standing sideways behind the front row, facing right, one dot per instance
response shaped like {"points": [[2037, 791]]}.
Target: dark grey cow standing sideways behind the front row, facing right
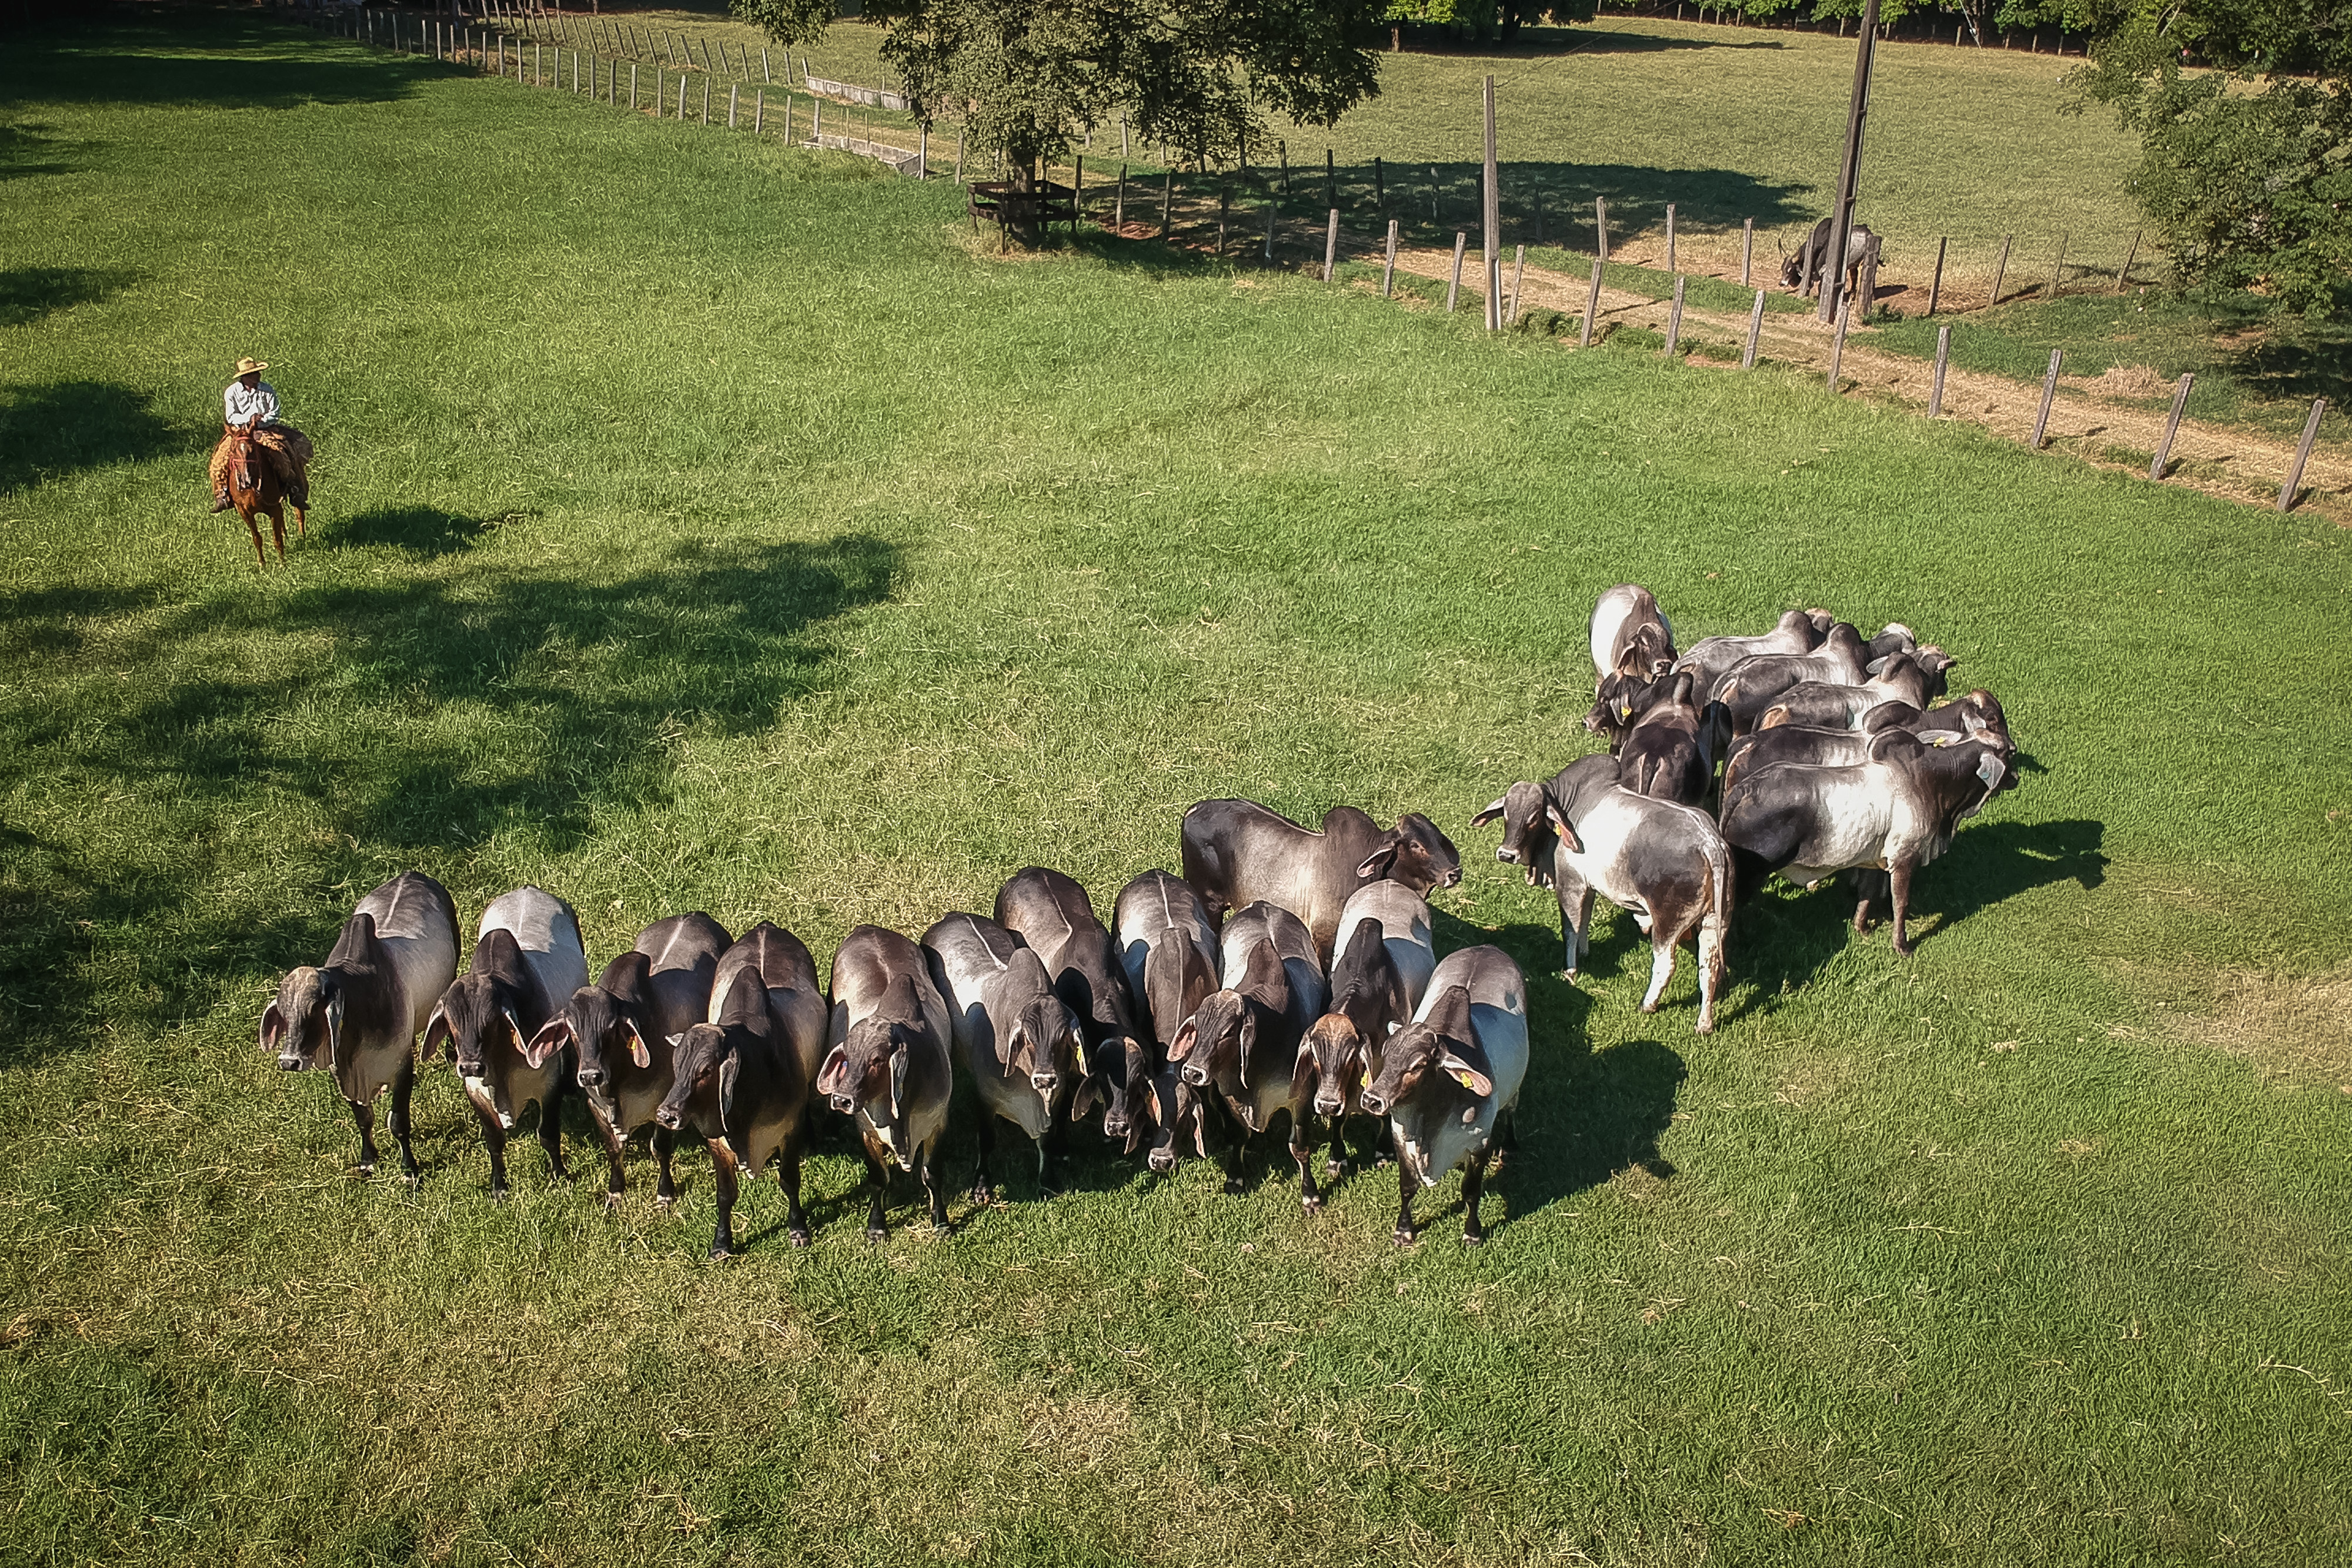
{"points": [[1238, 852]]}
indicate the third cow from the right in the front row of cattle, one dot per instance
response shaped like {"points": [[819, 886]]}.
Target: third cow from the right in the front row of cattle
{"points": [[1245, 1038]]}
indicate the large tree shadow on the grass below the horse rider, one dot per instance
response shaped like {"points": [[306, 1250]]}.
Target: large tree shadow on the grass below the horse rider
{"points": [[455, 709]]}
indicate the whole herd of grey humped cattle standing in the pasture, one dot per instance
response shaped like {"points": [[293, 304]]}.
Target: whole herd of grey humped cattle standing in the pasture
{"points": [[1288, 970]]}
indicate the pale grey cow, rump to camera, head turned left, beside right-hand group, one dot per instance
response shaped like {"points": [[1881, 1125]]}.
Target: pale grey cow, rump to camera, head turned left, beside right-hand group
{"points": [[1655, 859]]}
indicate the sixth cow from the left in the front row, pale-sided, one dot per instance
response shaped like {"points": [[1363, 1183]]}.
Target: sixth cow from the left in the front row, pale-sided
{"points": [[1020, 1043]]}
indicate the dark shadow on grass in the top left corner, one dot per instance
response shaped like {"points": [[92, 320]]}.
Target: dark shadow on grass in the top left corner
{"points": [[189, 58]]}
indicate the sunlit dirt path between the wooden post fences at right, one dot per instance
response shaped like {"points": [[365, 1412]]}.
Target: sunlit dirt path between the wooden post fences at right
{"points": [[2233, 464]]}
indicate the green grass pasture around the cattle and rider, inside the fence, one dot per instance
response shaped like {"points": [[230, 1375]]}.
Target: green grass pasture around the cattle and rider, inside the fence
{"points": [[711, 525]]}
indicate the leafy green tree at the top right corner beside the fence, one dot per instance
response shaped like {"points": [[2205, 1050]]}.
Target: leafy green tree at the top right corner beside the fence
{"points": [[2245, 119]]}
